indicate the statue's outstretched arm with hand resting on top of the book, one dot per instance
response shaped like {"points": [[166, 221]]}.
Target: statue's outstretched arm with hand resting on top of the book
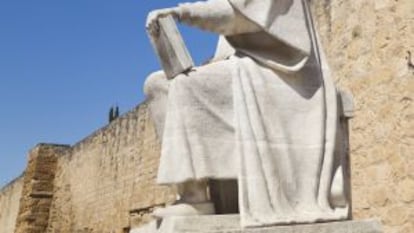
{"points": [[216, 16]]}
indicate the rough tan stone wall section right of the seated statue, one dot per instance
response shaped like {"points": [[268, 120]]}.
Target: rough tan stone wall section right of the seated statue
{"points": [[367, 43]]}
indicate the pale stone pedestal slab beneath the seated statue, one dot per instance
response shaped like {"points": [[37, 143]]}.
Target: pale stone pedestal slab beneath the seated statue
{"points": [[231, 224]]}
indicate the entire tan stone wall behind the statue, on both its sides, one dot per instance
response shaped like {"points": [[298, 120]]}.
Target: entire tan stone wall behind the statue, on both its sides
{"points": [[106, 182]]}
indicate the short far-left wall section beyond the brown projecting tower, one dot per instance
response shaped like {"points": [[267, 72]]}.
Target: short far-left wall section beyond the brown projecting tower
{"points": [[9, 205]]}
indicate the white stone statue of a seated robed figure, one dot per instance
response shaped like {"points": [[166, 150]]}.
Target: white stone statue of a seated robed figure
{"points": [[262, 111]]}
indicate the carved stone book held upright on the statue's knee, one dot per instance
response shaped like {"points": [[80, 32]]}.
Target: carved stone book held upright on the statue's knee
{"points": [[170, 48]]}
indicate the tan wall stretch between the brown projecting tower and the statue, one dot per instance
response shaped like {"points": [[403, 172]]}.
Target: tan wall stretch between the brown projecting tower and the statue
{"points": [[108, 180]]}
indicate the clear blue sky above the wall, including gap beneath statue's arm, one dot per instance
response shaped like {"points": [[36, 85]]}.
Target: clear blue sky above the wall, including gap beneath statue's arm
{"points": [[63, 63]]}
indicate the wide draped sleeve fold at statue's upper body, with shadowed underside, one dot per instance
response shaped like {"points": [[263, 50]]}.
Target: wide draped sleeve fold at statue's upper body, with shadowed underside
{"points": [[283, 21]]}
